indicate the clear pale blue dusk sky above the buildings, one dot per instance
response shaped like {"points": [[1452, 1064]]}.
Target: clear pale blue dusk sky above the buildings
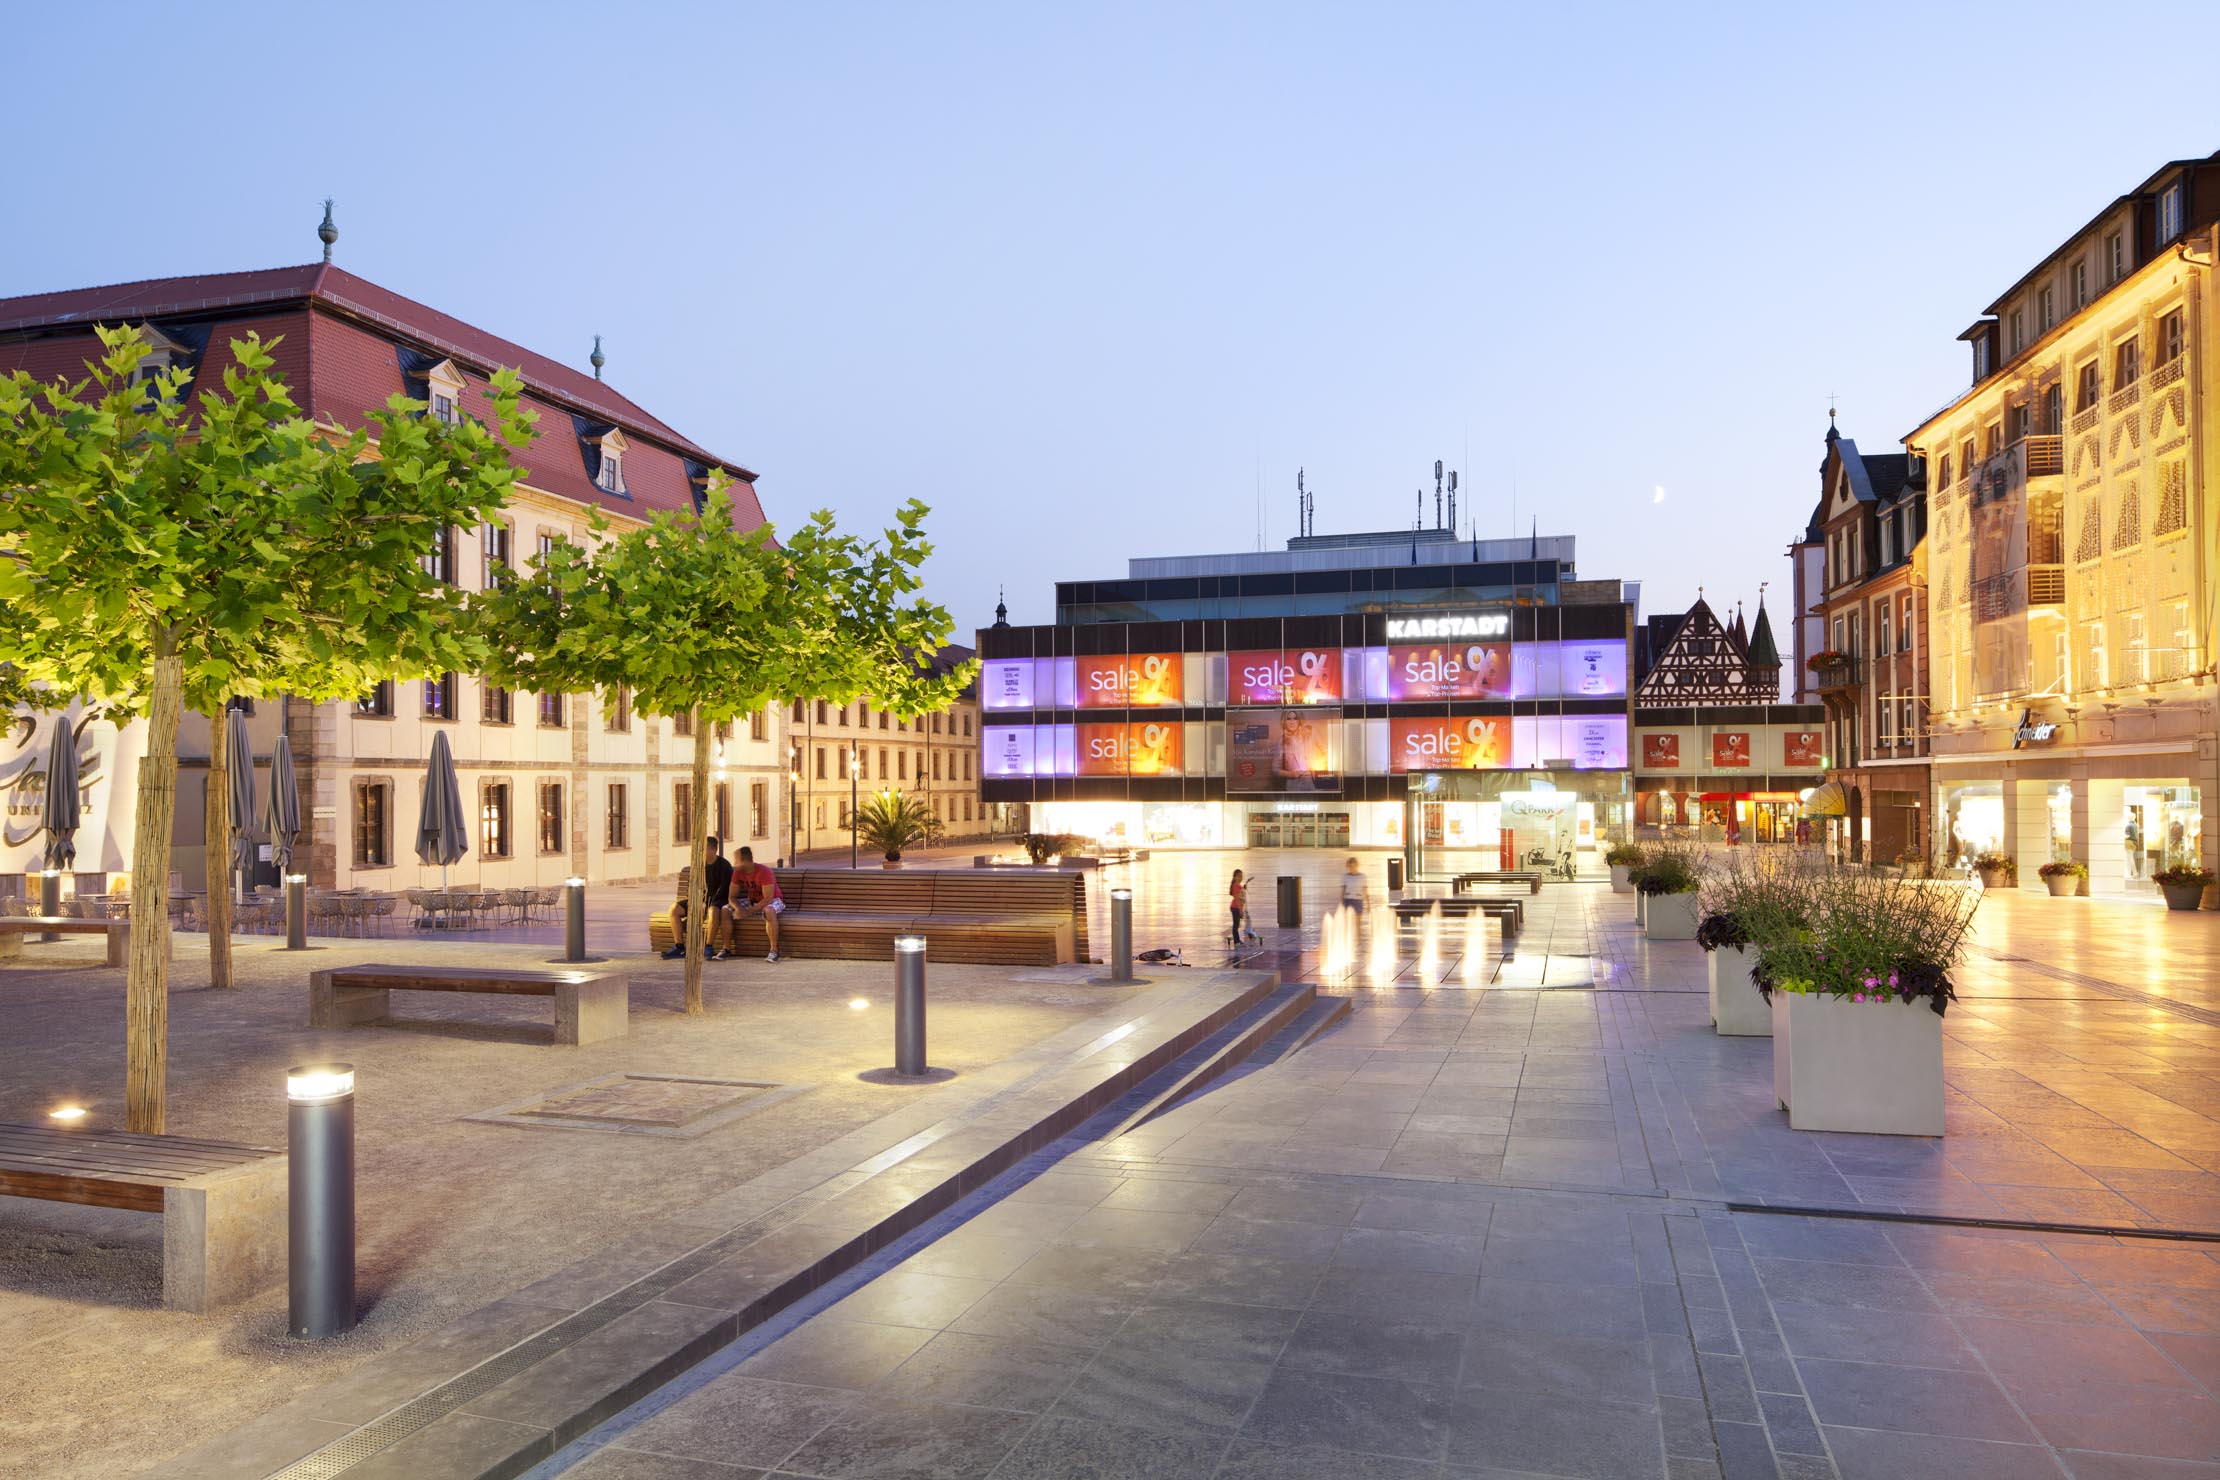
{"points": [[1084, 278]]}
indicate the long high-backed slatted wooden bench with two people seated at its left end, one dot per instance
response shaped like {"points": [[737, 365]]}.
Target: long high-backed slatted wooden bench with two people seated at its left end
{"points": [[991, 918]]}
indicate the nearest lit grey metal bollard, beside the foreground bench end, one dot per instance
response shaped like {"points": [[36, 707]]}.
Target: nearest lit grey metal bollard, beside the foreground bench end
{"points": [[321, 1199]]}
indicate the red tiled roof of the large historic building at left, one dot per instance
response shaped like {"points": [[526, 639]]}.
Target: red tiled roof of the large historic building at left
{"points": [[343, 365]]}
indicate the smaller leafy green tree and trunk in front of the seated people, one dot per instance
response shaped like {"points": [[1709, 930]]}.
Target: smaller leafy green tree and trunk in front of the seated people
{"points": [[700, 618]]}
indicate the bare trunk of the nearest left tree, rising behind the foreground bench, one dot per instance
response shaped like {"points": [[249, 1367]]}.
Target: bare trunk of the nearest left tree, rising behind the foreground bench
{"points": [[148, 975]]}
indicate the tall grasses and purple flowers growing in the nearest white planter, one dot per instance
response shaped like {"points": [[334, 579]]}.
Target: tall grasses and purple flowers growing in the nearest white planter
{"points": [[1868, 940]]}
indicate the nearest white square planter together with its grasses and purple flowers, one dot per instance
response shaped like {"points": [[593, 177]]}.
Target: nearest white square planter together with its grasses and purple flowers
{"points": [[1859, 991]]}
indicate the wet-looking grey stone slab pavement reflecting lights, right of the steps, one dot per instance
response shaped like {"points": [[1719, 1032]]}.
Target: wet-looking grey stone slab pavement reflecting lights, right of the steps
{"points": [[1513, 1233]]}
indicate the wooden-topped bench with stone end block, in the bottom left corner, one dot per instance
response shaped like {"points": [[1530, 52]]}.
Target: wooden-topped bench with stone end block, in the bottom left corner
{"points": [[223, 1206]]}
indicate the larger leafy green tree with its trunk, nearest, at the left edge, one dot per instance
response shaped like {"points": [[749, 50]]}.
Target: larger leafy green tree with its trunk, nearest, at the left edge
{"points": [[168, 551]]}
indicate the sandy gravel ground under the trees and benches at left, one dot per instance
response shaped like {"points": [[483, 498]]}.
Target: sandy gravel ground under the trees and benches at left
{"points": [[454, 1215]]}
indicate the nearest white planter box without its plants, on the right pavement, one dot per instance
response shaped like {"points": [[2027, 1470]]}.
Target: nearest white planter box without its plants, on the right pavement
{"points": [[1846, 1066]]}
